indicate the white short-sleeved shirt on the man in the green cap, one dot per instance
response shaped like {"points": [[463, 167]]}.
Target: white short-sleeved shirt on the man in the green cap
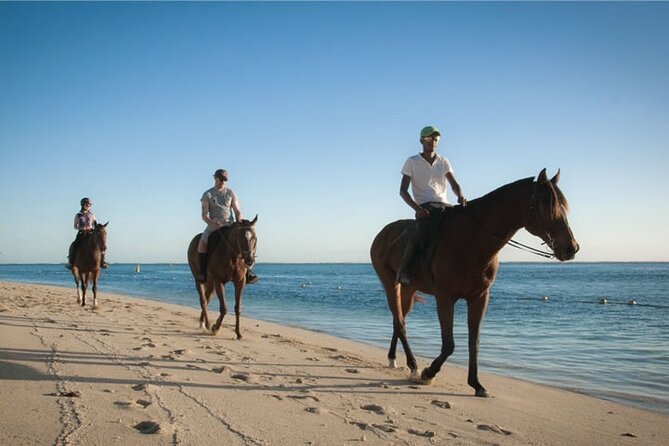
{"points": [[428, 182]]}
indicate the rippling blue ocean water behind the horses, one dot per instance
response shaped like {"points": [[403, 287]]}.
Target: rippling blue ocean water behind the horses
{"points": [[545, 322]]}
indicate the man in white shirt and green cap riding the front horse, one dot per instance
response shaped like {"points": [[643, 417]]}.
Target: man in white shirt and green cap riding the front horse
{"points": [[427, 173]]}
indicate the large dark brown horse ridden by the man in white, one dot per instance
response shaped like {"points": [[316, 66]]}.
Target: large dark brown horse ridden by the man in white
{"points": [[465, 261]]}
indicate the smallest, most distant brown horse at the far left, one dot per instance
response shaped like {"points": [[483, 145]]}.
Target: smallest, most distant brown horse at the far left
{"points": [[87, 260]]}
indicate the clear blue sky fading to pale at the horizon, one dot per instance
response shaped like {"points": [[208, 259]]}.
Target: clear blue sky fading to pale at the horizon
{"points": [[314, 107]]}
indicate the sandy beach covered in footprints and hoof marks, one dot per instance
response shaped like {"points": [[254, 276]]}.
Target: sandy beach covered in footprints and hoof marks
{"points": [[133, 371]]}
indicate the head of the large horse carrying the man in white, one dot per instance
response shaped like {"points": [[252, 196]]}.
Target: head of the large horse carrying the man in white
{"points": [[548, 217]]}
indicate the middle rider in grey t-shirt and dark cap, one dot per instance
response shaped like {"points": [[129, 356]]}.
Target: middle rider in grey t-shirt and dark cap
{"points": [[218, 205]]}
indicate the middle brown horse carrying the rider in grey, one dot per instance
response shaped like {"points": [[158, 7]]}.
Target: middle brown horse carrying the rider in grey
{"points": [[232, 251]]}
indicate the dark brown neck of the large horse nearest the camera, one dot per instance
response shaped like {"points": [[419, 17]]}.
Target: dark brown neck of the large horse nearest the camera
{"points": [[501, 213]]}
